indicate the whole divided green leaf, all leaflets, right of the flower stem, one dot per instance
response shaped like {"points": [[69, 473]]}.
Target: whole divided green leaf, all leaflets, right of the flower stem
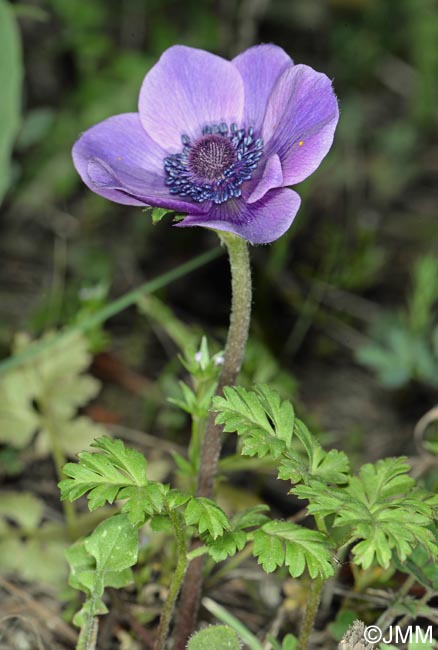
{"points": [[380, 511]]}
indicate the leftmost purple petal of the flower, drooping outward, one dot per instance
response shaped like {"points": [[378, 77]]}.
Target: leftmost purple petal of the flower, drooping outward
{"points": [[118, 160]]}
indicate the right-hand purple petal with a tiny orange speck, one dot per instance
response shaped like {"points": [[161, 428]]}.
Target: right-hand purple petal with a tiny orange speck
{"points": [[300, 121]]}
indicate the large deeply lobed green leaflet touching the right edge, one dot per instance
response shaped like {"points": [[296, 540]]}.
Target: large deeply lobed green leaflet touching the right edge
{"points": [[381, 507]]}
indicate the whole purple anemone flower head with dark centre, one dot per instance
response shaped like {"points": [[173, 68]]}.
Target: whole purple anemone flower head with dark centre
{"points": [[216, 140]]}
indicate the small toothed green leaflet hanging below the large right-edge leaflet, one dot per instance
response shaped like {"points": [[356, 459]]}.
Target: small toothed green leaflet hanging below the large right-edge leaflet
{"points": [[280, 543]]}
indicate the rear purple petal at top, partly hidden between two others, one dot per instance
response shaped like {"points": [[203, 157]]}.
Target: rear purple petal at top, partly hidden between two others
{"points": [[260, 67]]}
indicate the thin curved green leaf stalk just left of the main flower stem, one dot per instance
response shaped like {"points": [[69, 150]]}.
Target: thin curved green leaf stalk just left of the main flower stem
{"points": [[176, 581]]}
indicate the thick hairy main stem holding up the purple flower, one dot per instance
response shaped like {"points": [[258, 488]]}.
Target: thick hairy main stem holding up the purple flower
{"points": [[211, 448]]}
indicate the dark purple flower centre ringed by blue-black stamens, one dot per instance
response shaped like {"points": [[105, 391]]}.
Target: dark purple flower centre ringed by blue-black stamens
{"points": [[214, 166]]}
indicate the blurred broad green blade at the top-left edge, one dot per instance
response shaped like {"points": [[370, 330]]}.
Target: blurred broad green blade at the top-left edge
{"points": [[11, 73]]}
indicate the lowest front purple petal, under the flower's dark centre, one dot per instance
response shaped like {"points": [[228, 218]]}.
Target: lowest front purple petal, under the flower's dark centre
{"points": [[258, 223]]}
